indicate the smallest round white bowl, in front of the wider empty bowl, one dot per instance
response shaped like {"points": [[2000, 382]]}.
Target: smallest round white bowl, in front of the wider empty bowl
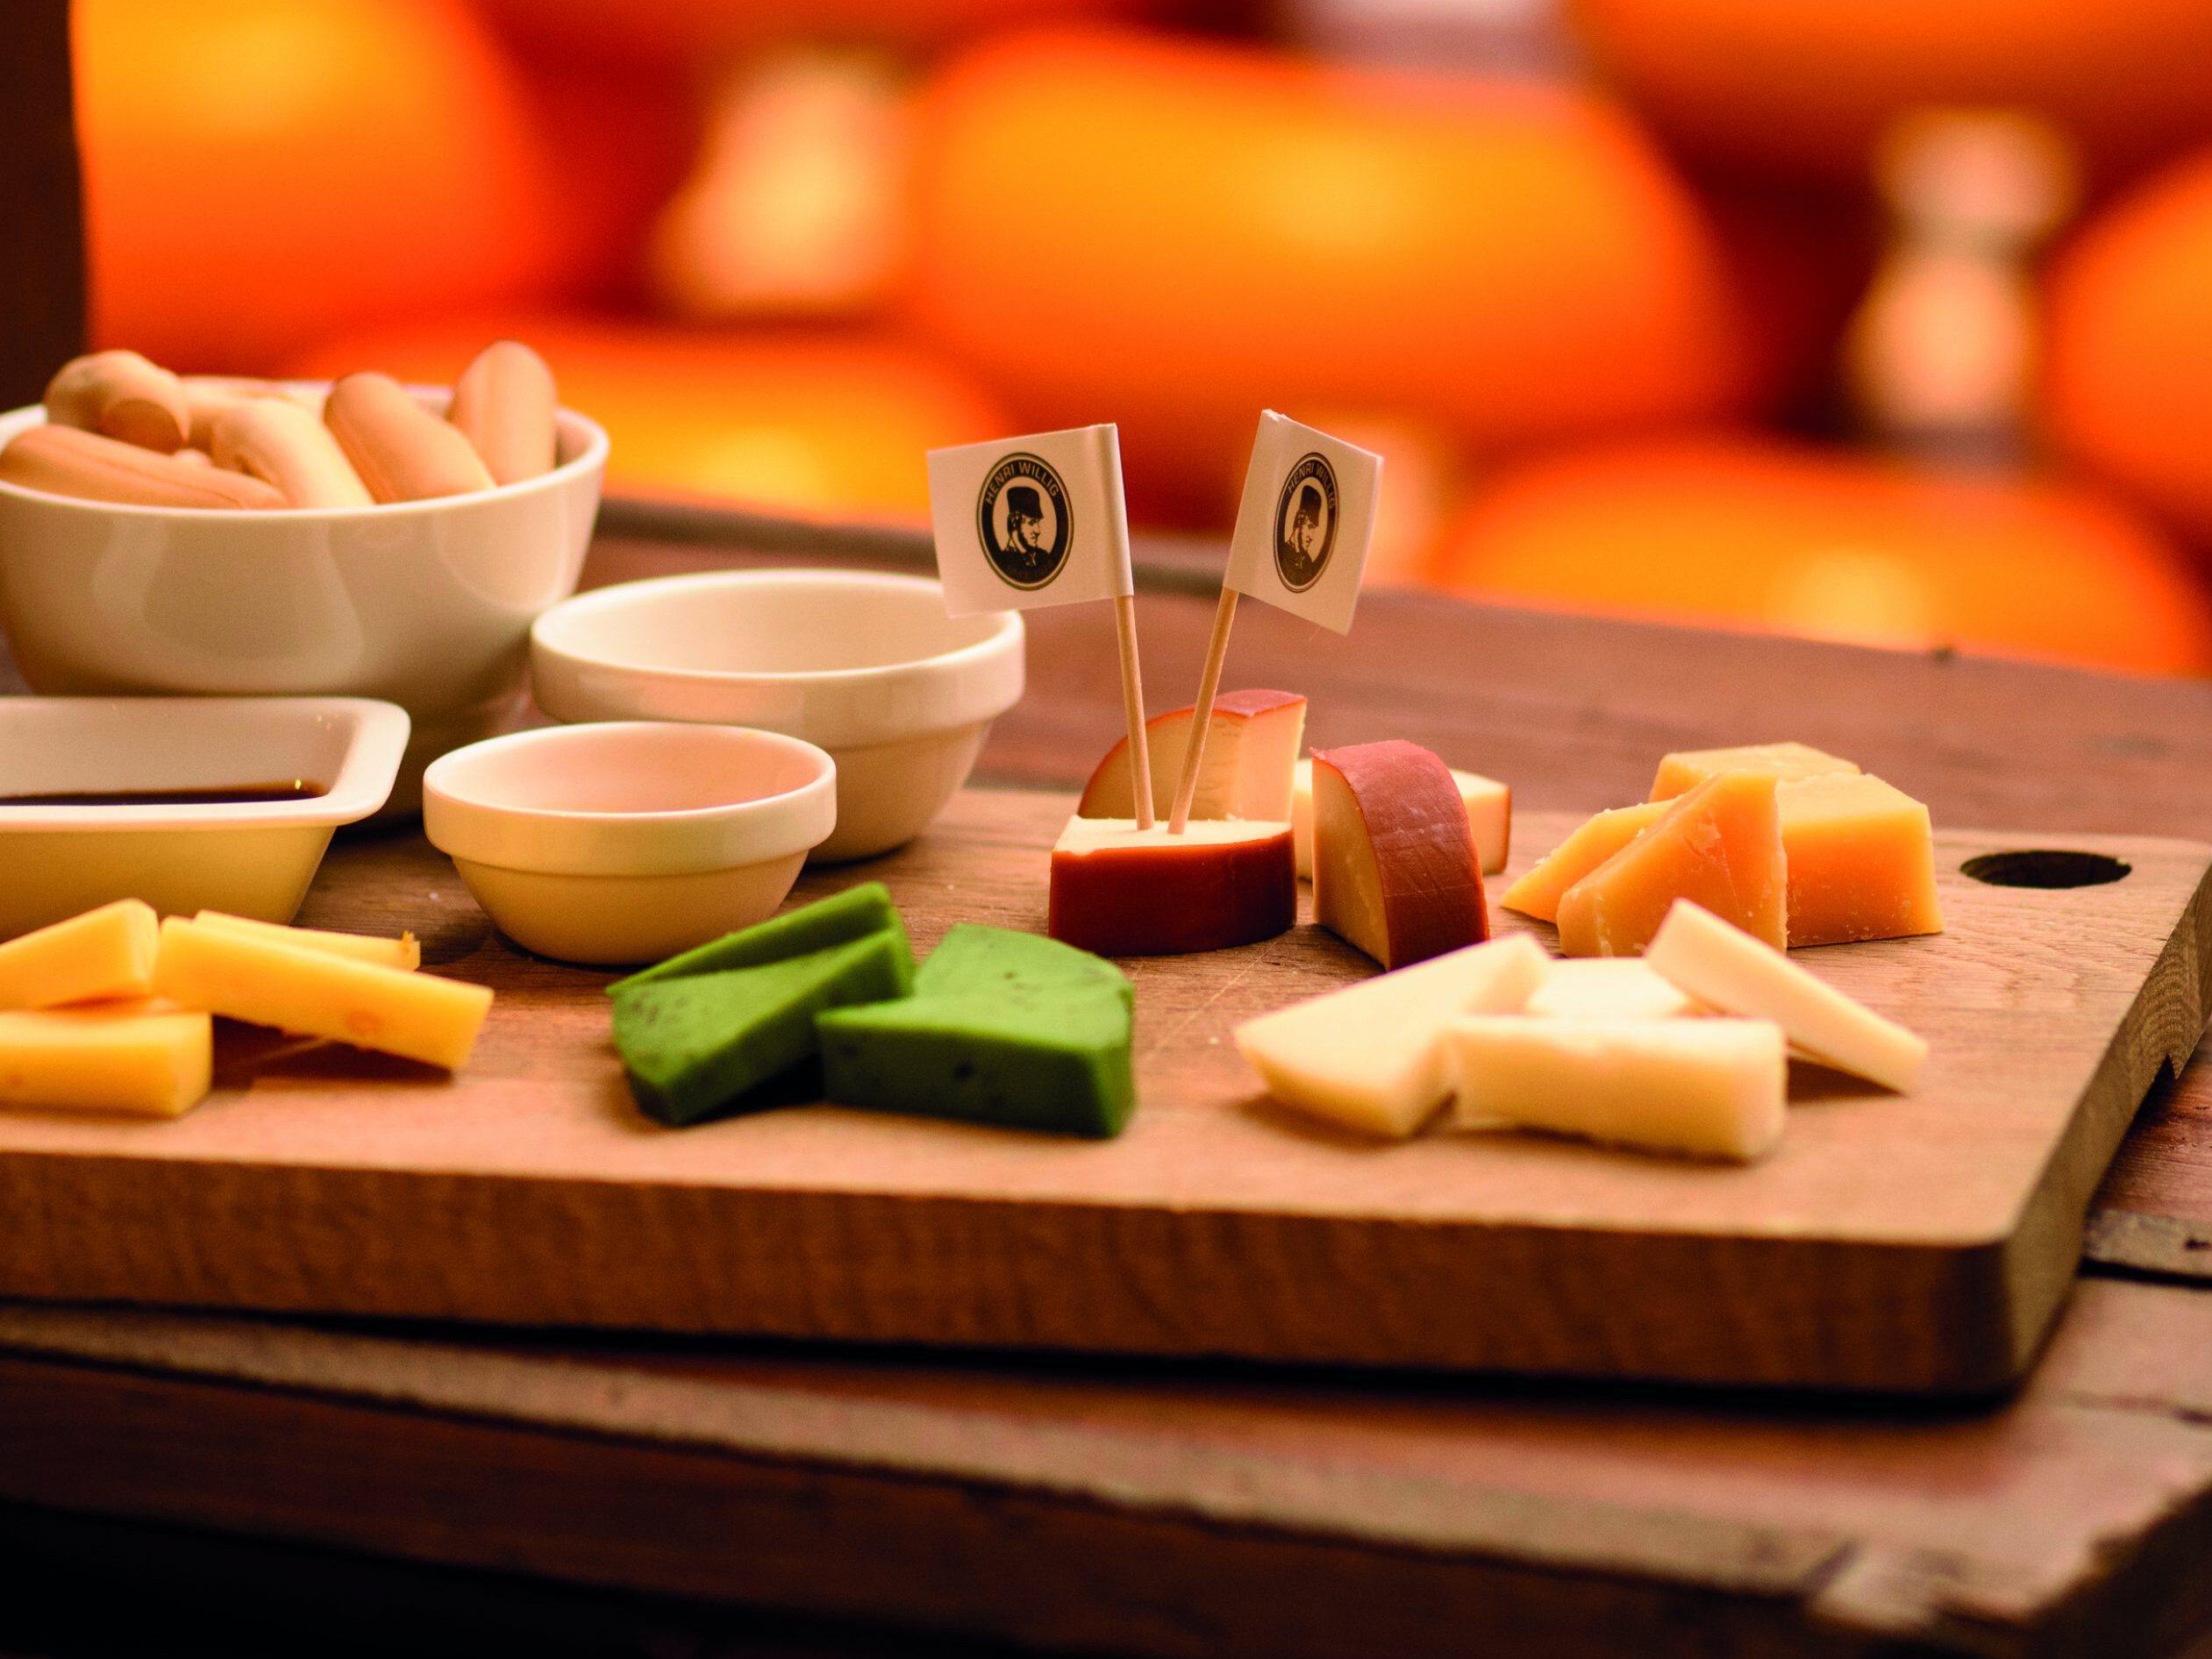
{"points": [[629, 842]]}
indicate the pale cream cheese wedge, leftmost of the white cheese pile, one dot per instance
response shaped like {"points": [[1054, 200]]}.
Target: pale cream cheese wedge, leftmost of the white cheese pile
{"points": [[1373, 1054]]}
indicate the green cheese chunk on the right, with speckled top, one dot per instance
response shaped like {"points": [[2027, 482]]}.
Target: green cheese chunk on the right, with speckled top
{"points": [[1001, 1030]]}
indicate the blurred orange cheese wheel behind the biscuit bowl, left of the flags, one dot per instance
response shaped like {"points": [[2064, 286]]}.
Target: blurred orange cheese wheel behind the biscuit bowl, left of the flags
{"points": [[824, 424]]}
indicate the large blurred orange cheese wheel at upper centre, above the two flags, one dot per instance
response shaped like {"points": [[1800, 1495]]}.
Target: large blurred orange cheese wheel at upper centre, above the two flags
{"points": [[1171, 236]]}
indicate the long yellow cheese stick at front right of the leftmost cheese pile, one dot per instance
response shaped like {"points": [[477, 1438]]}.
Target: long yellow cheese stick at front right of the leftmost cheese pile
{"points": [[315, 994]]}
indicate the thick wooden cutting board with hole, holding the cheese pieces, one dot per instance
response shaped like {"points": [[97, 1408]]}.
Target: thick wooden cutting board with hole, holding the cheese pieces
{"points": [[1890, 1242]]}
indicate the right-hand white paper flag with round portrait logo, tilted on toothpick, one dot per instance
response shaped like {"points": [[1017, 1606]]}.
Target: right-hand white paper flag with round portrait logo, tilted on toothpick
{"points": [[1306, 521]]}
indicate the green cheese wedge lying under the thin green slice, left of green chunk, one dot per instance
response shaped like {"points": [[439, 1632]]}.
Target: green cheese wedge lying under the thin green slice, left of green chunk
{"points": [[711, 1045]]}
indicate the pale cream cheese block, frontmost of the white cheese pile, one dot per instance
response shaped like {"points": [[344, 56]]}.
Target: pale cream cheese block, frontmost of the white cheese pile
{"points": [[1702, 1087]]}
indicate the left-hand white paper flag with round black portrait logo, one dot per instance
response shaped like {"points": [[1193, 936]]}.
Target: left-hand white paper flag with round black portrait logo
{"points": [[1032, 521]]}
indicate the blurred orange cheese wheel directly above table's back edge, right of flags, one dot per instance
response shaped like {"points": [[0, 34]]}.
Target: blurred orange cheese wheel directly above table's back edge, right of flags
{"points": [[1760, 534]]}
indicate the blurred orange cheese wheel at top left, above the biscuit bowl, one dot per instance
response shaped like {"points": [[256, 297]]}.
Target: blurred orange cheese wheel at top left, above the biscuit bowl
{"points": [[262, 171]]}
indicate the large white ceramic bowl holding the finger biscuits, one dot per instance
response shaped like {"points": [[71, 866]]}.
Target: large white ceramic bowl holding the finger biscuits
{"points": [[426, 605]]}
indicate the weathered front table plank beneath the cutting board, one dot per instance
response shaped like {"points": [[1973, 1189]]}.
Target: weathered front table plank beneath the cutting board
{"points": [[1160, 1510]]}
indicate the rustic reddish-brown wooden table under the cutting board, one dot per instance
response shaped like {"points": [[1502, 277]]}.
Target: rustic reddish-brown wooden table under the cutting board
{"points": [[291, 1483]]}
